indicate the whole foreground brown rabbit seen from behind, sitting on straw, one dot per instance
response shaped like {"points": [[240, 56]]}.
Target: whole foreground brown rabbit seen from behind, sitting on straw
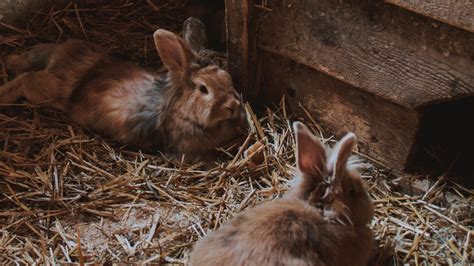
{"points": [[322, 220]]}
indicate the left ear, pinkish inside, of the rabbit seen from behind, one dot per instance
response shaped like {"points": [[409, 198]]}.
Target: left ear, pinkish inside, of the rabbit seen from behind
{"points": [[310, 152]]}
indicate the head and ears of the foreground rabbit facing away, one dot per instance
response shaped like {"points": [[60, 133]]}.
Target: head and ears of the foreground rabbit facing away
{"points": [[328, 179]]}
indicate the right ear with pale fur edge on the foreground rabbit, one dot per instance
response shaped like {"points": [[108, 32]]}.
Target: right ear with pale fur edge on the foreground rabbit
{"points": [[341, 154]]}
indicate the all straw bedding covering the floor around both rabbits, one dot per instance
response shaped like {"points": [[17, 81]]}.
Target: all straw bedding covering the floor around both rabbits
{"points": [[69, 195]]}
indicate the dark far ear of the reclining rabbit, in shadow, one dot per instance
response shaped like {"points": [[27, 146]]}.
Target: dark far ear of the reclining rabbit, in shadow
{"points": [[194, 34]]}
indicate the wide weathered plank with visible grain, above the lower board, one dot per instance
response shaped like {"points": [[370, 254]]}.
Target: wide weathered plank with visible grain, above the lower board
{"points": [[379, 48]]}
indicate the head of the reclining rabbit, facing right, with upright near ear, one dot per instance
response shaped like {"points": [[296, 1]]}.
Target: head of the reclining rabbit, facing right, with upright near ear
{"points": [[204, 94]]}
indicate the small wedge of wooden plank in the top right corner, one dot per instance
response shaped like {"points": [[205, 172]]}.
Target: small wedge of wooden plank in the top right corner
{"points": [[458, 13]]}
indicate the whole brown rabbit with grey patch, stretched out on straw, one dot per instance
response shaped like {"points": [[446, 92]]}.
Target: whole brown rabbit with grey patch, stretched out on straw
{"points": [[190, 110]]}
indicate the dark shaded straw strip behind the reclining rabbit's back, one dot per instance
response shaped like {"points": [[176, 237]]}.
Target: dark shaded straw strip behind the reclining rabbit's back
{"points": [[125, 27]]}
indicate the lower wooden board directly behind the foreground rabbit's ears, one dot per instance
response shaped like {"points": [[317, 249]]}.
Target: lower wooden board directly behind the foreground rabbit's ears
{"points": [[386, 131]]}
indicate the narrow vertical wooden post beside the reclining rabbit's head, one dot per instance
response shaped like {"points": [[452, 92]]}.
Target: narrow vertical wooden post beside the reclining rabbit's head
{"points": [[240, 48]]}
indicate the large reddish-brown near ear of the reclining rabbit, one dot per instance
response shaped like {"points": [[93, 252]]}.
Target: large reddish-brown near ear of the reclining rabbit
{"points": [[173, 51]]}
